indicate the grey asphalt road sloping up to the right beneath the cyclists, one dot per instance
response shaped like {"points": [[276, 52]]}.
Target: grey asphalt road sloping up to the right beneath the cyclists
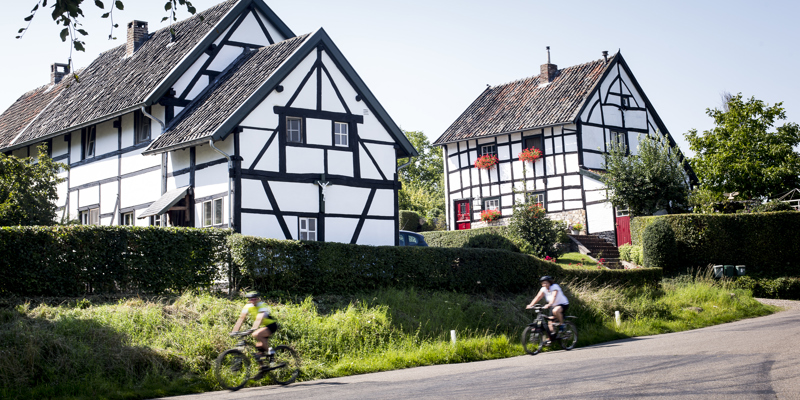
{"points": [[752, 359]]}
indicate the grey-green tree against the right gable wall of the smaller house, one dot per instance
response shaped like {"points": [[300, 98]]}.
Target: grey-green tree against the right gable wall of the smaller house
{"points": [[650, 181]]}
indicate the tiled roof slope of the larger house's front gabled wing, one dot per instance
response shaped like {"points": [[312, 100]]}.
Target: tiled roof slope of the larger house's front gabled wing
{"points": [[201, 119]]}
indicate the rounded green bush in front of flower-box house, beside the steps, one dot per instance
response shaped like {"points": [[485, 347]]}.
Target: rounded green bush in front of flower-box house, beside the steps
{"points": [[537, 234]]}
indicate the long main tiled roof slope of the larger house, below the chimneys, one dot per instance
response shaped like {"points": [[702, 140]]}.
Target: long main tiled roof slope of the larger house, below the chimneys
{"points": [[114, 83]]}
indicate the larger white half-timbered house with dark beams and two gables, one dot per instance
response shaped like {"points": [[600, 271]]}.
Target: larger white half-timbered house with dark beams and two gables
{"points": [[228, 120]]}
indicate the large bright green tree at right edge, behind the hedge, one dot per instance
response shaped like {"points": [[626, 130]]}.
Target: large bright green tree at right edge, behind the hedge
{"points": [[740, 154]]}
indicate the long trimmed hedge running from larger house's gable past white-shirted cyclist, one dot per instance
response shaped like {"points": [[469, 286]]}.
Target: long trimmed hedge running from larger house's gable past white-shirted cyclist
{"points": [[317, 267]]}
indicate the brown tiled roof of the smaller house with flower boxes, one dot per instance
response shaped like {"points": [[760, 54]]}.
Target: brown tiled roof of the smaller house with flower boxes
{"points": [[525, 104]]}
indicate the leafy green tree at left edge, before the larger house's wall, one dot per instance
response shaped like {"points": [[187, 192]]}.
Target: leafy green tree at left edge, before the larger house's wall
{"points": [[28, 189]]}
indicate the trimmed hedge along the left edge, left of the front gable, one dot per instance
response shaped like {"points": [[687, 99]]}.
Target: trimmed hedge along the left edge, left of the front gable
{"points": [[75, 260]]}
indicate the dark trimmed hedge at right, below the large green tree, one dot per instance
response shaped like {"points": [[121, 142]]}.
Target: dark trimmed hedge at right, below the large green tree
{"points": [[767, 243]]}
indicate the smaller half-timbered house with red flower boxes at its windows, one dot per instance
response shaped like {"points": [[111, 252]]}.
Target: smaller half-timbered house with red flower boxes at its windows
{"points": [[571, 115]]}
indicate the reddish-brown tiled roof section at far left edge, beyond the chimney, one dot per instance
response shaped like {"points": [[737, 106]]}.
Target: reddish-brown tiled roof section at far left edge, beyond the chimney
{"points": [[25, 109]]}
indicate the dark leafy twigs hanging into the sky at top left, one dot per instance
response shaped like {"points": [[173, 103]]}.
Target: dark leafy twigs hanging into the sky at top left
{"points": [[68, 13]]}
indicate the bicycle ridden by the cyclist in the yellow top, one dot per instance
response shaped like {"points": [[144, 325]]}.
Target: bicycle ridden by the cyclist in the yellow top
{"points": [[233, 366]]}
